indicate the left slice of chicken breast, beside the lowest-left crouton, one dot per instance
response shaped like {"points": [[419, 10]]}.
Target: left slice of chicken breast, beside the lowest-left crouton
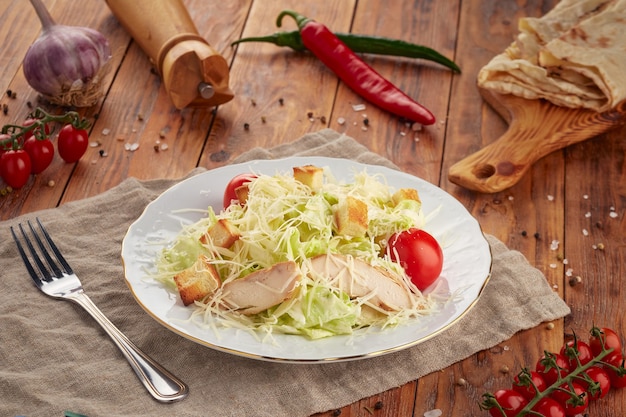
{"points": [[262, 289]]}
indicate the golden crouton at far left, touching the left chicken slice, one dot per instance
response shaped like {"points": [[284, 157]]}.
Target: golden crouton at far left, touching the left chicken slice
{"points": [[197, 281]]}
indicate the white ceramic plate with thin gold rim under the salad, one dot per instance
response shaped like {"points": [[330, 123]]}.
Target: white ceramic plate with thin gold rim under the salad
{"points": [[466, 269]]}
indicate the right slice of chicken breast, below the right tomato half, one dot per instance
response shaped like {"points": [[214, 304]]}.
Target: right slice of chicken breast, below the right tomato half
{"points": [[358, 278]]}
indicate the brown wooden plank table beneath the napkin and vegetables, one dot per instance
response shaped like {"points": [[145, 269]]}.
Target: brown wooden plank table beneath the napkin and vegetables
{"points": [[567, 196]]}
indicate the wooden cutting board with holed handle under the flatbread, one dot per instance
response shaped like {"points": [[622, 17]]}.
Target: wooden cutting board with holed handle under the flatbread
{"points": [[536, 128]]}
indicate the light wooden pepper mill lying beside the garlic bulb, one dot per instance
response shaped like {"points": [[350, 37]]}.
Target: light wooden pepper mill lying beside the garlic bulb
{"points": [[193, 73]]}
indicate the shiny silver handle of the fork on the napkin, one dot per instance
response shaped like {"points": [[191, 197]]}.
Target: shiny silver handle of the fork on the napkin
{"points": [[160, 383]]}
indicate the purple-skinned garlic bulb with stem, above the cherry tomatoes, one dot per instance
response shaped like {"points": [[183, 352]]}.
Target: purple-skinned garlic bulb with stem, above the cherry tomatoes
{"points": [[66, 64]]}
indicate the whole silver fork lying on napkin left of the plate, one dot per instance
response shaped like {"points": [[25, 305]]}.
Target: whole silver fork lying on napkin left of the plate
{"points": [[56, 279]]}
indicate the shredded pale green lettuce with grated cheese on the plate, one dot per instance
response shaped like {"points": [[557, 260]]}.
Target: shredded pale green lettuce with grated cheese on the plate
{"points": [[285, 220]]}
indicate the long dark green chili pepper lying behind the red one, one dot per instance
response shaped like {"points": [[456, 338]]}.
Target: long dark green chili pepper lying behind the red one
{"points": [[361, 44]]}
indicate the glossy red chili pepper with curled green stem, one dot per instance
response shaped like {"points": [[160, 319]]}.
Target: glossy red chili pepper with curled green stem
{"points": [[355, 73]]}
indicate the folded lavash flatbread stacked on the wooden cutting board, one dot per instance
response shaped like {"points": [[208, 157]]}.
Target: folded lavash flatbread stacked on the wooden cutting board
{"points": [[573, 56]]}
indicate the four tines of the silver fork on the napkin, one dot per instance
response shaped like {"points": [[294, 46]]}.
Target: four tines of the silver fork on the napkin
{"points": [[46, 273]]}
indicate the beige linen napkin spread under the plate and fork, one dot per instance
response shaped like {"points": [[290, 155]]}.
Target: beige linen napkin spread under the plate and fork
{"points": [[54, 357]]}
